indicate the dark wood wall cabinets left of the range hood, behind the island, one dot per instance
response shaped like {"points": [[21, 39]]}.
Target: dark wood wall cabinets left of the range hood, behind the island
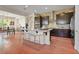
{"points": [[41, 21]]}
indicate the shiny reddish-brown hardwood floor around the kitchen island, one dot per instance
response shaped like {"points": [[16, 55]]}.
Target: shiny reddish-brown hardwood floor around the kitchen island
{"points": [[16, 45]]}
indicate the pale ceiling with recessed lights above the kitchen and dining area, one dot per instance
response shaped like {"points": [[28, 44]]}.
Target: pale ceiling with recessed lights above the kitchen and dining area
{"points": [[21, 10]]}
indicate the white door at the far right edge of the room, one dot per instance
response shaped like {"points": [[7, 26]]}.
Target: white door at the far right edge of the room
{"points": [[77, 28]]}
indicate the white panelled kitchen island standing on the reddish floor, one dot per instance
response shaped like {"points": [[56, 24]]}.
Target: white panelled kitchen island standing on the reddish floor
{"points": [[41, 36]]}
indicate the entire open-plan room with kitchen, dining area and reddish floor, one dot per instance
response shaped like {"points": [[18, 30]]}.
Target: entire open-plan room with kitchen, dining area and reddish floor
{"points": [[39, 29]]}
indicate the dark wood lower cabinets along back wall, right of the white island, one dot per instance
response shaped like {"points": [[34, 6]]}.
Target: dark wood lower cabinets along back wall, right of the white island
{"points": [[61, 32]]}
